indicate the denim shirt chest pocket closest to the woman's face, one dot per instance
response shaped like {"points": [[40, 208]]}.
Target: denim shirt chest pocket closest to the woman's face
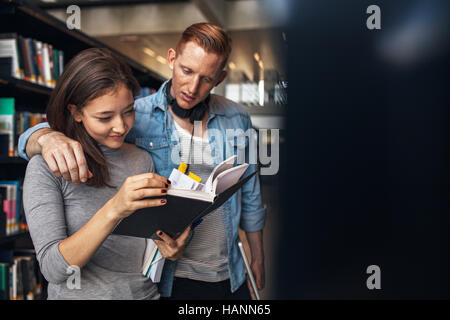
{"points": [[159, 149]]}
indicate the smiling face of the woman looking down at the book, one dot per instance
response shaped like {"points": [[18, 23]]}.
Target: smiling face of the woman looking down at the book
{"points": [[108, 118]]}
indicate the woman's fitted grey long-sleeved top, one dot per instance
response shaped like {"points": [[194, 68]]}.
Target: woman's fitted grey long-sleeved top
{"points": [[55, 209]]}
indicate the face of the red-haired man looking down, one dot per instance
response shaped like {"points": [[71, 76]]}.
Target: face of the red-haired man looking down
{"points": [[194, 73]]}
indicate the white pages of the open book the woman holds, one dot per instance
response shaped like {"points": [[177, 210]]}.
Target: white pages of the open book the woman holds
{"points": [[221, 178]]}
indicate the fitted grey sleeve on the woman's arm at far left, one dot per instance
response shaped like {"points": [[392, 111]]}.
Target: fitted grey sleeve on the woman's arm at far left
{"points": [[44, 210]]}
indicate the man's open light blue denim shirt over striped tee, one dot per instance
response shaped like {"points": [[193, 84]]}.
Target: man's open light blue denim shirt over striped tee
{"points": [[154, 131]]}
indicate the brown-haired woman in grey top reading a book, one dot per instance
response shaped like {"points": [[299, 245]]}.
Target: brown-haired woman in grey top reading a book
{"points": [[70, 225]]}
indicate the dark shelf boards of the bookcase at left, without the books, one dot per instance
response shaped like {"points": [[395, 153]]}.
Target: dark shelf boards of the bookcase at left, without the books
{"points": [[17, 16]]}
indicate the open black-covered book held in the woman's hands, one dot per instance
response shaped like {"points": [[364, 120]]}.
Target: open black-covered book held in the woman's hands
{"points": [[185, 207]]}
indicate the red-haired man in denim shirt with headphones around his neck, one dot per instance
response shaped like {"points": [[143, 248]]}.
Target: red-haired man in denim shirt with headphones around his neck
{"points": [[210, 266]]}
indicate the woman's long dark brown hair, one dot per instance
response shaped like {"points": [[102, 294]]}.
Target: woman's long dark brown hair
{"points": [[90, 74]]}
